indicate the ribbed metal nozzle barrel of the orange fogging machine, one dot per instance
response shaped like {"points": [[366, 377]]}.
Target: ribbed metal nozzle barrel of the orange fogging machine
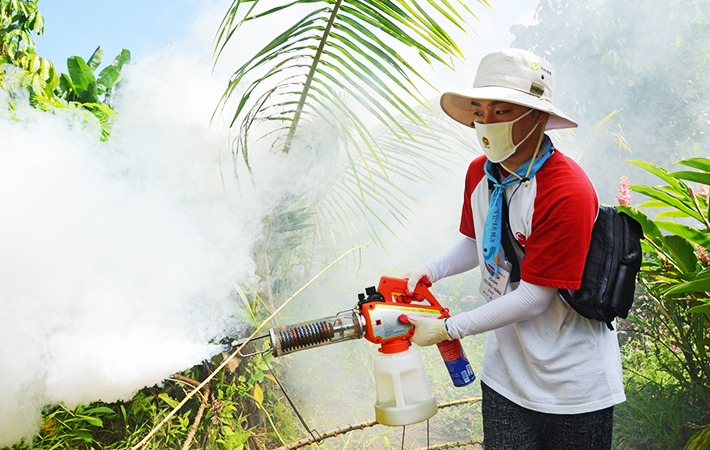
{"points": [[344, 326]]}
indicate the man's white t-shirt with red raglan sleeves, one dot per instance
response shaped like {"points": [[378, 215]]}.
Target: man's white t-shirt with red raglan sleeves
{"points": [[557, 362]]}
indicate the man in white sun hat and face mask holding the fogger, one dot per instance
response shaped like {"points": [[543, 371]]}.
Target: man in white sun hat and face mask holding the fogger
{"points": [[550, 377]]}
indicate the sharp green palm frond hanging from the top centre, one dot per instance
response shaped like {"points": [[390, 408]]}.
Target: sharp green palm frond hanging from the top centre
{"points": [[338, 46]]}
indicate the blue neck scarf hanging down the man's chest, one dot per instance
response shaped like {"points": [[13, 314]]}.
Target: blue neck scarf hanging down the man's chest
{"points": [[494, 221]]}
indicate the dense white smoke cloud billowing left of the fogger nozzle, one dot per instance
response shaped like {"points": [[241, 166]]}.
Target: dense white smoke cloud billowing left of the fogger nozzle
{"points": [[117, 259]]}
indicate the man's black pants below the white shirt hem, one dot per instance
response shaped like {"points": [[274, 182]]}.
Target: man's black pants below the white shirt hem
{"points": [[507, 426]]}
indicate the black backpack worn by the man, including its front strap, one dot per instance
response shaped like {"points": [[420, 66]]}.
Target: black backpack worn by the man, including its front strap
{"points": [[613, 261]]}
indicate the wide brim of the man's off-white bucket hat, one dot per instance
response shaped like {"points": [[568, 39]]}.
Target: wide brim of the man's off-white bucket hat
{"points": [[457, 105]]}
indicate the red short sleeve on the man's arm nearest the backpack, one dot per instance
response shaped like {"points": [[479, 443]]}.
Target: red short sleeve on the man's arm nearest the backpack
{"points": [[566, 206]]}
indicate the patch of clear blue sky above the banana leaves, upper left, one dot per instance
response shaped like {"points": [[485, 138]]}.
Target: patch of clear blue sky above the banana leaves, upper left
{"points": [[78, 27]]}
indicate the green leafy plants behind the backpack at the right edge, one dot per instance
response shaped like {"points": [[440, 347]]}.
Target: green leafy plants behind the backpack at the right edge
{"points": [[672, 316]]}
